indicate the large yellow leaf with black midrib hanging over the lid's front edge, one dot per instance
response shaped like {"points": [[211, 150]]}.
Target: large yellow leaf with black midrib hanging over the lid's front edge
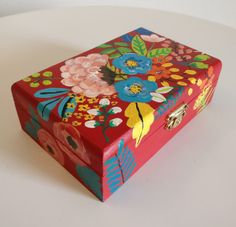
{"points": [[141, 117]]}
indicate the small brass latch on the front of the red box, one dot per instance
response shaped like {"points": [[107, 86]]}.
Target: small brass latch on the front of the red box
{"points": [[175, 118]]}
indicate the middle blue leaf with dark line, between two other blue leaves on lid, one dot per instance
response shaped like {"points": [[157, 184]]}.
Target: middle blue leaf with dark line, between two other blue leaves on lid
{"points": [[44, 108]]}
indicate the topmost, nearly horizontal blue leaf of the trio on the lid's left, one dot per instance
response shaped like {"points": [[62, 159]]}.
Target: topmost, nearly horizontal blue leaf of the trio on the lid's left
{"points": [[51, 92]]}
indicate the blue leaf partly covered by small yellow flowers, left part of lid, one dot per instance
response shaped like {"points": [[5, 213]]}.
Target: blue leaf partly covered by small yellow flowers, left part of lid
{"points": [[67, 106]]}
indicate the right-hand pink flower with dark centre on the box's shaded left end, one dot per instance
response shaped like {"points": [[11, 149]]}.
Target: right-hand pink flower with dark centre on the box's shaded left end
{"points": [[69, 136]]}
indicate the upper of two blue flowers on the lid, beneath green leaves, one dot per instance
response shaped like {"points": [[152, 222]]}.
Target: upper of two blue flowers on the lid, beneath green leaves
{"points": [[132, 64]]}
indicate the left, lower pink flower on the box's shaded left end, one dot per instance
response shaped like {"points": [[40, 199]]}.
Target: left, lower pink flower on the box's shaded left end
{"points": [[47, 141]]}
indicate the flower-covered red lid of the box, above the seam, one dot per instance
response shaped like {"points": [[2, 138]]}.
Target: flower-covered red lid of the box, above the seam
{"points": [[118, 89]]}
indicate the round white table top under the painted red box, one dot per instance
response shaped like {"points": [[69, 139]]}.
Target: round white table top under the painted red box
{"points": [[191, 182]]}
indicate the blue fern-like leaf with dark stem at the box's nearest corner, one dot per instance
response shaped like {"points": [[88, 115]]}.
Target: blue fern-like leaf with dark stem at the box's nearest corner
{"points": [[119, 167]]}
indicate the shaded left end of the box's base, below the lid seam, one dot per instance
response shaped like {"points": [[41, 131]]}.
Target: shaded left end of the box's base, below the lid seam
{"points": [[79, 169]]}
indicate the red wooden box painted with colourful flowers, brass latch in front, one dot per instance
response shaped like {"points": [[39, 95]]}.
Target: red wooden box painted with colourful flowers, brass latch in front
{"points": [[103, 113]]}
